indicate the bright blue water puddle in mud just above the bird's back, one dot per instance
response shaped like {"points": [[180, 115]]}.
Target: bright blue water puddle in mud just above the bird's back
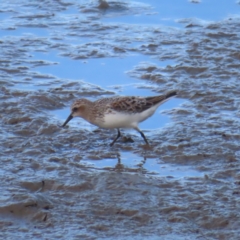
{"points": [[105, 72]]}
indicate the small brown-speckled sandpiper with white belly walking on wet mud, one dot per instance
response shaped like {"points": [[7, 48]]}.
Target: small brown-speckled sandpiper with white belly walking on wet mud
{"points": [[118, 112]]}
